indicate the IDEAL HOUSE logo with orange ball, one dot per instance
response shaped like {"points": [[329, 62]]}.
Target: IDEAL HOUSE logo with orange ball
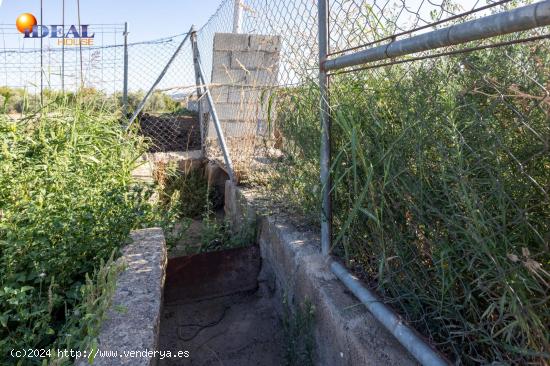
{"points": [[26, 23]]}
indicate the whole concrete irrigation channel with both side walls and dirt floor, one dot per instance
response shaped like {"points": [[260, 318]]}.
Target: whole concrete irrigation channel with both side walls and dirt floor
{"points": [[275, 302]]}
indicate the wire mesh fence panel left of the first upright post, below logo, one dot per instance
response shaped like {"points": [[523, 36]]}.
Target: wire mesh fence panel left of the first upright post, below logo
{"points": [[26, 69]]}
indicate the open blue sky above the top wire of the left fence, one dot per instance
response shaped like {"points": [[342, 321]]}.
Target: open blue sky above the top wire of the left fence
{"points": [[147, 20]]}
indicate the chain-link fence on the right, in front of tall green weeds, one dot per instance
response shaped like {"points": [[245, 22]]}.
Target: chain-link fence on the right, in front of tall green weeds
{"points": [[438, 159]]}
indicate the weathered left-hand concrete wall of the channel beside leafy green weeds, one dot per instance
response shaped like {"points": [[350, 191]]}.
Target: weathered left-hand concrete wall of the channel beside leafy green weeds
{"points": [[133, 319]]}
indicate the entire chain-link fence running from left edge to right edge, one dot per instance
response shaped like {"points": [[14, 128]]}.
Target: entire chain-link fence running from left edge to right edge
{"points": [[436, 150]]}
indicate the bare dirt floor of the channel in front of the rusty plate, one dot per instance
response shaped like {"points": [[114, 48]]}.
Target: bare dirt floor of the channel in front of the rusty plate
{"points": [[240, 329]]}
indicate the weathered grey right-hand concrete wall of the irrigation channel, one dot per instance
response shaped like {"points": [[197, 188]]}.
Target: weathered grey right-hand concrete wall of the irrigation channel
{"points": [[345, 332]]}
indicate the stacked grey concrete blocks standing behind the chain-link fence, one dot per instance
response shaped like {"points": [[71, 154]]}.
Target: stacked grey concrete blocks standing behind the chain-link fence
{"points": [[244, 70]]}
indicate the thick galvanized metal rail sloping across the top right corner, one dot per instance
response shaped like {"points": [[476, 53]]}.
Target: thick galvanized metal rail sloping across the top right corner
{"points": [[520, 19]]}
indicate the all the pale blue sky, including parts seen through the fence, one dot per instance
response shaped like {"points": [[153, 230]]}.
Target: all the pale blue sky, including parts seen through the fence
{"points": [[101, 67]]}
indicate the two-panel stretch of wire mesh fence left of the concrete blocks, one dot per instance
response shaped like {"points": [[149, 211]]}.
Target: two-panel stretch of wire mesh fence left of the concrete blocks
{"points": [[95, 73]]}
